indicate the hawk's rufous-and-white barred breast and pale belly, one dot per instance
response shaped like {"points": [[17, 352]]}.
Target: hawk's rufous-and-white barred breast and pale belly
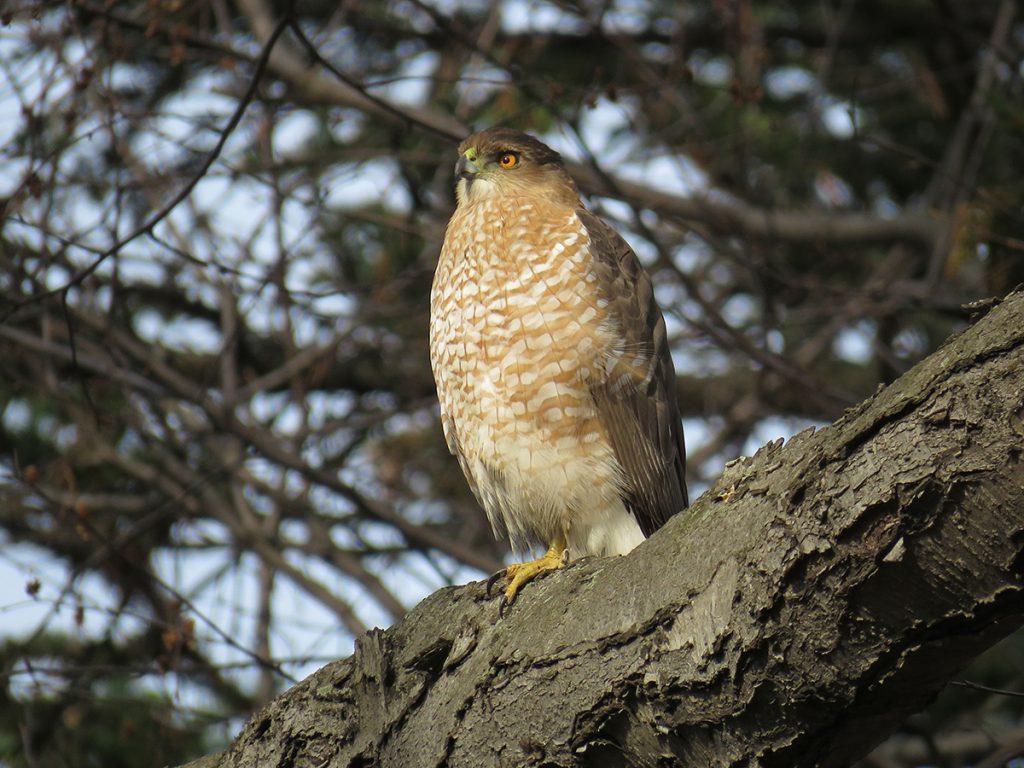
{"points": [[520, 328]]}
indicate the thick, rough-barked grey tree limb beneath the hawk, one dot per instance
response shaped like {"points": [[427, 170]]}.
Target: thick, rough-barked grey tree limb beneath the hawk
{"points": [[823, 591]]}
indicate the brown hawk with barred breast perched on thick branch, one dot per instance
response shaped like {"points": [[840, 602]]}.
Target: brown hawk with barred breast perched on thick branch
{"points": [[557, 387]]}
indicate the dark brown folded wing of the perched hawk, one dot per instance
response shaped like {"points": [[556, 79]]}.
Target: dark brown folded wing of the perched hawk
{"points": [[637, 401]]}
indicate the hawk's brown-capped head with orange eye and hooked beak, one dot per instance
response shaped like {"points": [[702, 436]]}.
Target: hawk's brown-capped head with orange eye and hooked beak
{"points": [[503, 162]]}
